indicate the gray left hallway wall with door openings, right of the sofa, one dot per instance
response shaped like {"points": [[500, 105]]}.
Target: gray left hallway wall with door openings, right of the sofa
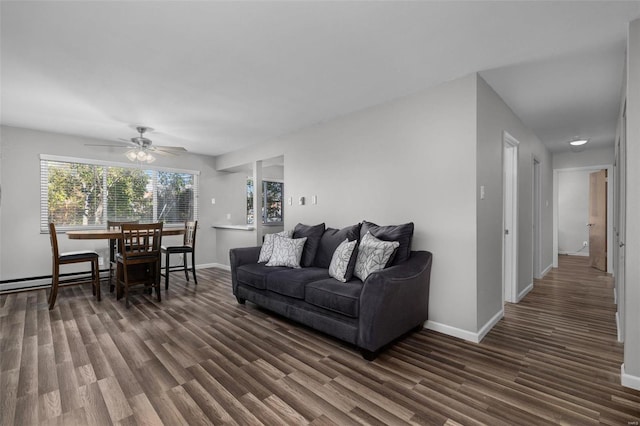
{"points": [[494, 118]]}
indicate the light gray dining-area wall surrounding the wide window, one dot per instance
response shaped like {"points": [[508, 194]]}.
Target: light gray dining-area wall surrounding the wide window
{"points": [[25, 251]]}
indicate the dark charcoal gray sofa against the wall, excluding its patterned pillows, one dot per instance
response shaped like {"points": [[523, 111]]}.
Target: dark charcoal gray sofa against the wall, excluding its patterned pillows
{"points": [[370, 314]]}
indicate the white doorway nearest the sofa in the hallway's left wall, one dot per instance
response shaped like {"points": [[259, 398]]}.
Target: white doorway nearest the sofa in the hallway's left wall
{"points": [[510, 218]]}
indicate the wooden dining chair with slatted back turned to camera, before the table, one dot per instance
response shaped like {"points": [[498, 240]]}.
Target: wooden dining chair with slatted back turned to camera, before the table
{"points": [[139, 260]]}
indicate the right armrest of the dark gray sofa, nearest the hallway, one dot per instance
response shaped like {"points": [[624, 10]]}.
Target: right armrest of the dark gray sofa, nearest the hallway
{"points": [[394, 301]]}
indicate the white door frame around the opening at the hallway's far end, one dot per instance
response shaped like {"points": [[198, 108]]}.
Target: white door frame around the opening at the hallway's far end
{"points": [[556, 172]]}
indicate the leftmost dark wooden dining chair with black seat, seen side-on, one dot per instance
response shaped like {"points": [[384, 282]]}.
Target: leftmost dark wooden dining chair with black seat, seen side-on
{"points": [[58, 259]]}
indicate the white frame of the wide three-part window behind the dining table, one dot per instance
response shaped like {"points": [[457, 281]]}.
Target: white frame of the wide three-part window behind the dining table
{"points": [[44, 187]]}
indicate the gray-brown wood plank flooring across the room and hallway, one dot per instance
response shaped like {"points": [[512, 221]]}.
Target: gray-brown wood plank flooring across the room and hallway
{"points": [[200, 358]]}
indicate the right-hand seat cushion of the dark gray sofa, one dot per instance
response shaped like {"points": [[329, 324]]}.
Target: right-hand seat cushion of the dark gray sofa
{"points": [[331, 294]]}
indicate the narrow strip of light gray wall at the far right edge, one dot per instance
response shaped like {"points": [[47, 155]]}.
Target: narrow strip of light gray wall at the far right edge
{"points": [[632, 239]]}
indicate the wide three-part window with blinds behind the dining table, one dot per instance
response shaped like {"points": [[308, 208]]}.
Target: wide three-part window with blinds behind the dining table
{"points": [[78, 193]]}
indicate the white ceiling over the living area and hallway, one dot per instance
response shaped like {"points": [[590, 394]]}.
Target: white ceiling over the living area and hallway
{"points": [[218, 76]]}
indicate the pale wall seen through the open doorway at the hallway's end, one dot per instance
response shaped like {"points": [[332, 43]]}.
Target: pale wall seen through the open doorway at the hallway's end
{"points": [[573, 211]]}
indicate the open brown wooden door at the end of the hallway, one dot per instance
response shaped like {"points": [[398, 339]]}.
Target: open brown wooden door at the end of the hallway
{"points": [[598, 220]]}
